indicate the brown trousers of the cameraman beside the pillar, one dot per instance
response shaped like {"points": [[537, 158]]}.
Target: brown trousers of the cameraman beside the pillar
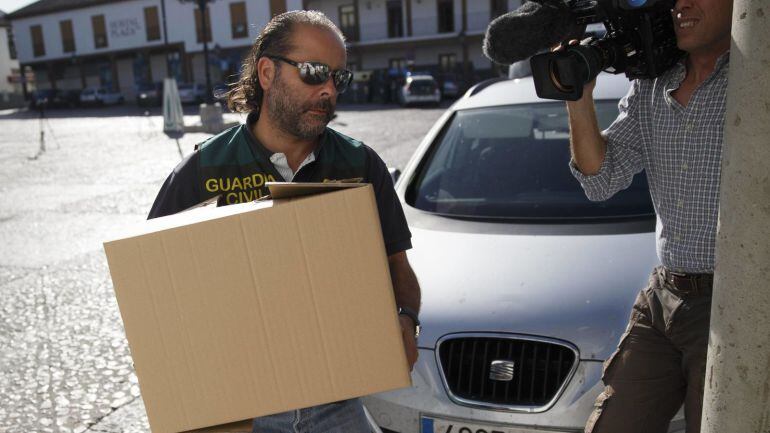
{"points": [[660, 363]]}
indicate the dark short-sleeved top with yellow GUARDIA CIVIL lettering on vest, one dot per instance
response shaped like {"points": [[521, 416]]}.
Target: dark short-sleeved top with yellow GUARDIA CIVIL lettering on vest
{"points": [[235, 166]]}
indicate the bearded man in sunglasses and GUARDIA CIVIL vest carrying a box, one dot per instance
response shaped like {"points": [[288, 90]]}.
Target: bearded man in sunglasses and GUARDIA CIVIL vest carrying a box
{"points": [[289, 86]]}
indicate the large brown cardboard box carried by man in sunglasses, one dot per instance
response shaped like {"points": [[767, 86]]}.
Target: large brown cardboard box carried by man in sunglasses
{"points": [[252, 309]]}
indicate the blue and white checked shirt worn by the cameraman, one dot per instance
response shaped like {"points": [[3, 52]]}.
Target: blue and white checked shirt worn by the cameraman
{"points": [[681, 150]]}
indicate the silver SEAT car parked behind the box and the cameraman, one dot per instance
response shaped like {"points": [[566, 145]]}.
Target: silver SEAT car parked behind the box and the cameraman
{"points": [[527, 285]]}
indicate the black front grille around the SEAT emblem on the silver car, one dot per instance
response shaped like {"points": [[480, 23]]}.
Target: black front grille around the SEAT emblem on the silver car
{"points": [[540, 369]]}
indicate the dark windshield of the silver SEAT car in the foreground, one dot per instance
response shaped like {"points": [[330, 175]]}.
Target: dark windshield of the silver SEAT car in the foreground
{"points": [[512, 163]]}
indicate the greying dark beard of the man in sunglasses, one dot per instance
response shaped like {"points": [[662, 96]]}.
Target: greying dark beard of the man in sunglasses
{"points": [[292, 116]]}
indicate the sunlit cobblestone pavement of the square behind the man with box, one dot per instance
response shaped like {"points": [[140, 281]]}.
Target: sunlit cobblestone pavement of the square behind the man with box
{"points": [[64, 360]]}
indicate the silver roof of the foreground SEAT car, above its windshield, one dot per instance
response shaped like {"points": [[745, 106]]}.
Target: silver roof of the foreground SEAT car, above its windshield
{"points": [[497, 92]]}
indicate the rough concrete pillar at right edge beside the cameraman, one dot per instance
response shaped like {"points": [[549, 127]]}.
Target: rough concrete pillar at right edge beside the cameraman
{"points": [[737, 394]]}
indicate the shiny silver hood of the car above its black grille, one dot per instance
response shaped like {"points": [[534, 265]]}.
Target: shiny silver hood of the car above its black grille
{"points": [[569, 286]]}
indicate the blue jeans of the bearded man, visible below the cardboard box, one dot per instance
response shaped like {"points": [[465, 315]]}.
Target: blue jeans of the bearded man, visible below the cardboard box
{"points": [[345, 416]]}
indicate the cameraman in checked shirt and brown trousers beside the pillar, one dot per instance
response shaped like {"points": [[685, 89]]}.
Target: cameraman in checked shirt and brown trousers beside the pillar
{"points": [[672, 127]]}
